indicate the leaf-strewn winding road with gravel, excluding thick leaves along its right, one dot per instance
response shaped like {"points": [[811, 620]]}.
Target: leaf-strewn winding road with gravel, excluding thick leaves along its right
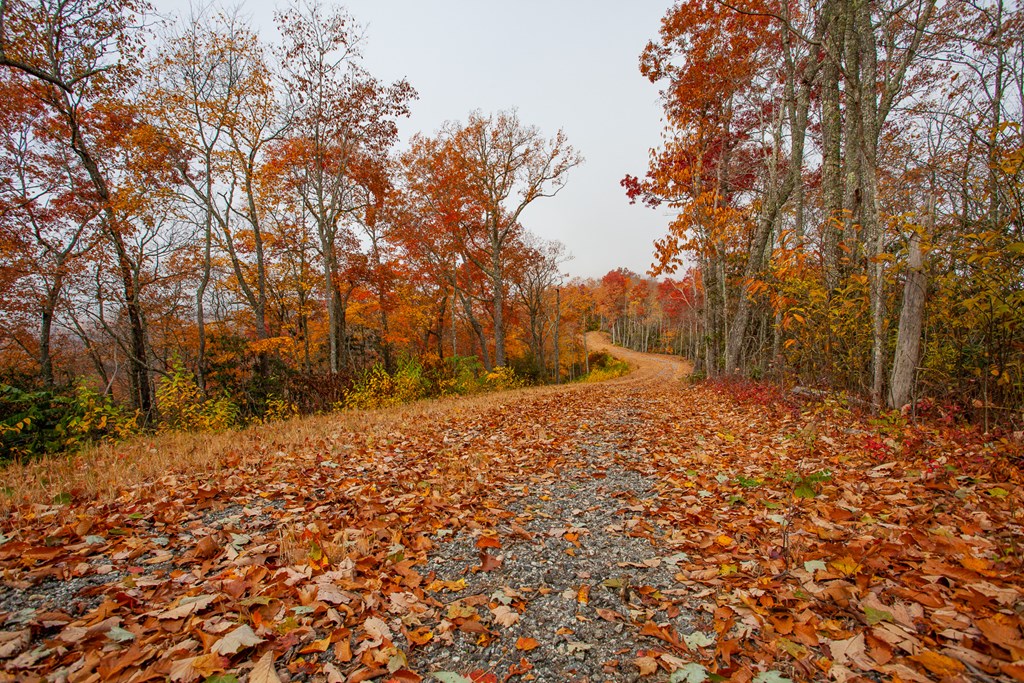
{"points": [[429, 539]]}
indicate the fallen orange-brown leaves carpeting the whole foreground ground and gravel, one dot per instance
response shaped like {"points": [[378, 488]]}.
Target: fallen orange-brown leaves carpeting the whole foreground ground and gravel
{"points": [[644, 528]]}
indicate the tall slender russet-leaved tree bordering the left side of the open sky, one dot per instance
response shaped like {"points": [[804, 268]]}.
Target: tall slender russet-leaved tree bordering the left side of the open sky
{"points": [[345, 124]]}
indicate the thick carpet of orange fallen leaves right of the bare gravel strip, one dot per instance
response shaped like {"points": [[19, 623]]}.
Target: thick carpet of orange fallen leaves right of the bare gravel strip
{"points": [[833, 545]]}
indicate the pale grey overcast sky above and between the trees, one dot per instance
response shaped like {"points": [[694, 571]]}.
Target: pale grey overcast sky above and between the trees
{"points": [[563, 64]]}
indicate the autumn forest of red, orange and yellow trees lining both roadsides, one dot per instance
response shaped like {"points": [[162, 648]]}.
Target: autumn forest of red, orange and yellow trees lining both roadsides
{"points": [[202, 228]]}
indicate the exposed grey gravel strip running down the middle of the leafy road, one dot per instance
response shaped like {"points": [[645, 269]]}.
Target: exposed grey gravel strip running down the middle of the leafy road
{"points": [[578, 557]]}
